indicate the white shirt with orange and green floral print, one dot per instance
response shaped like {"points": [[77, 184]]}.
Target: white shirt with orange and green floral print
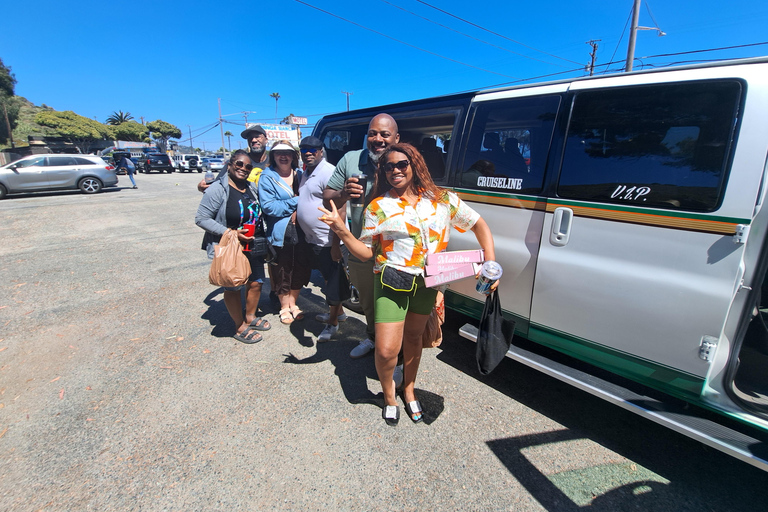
{"points": [[402, 235]]}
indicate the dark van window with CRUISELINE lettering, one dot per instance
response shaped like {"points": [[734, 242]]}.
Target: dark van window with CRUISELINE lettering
{"points": [[508, 145]]}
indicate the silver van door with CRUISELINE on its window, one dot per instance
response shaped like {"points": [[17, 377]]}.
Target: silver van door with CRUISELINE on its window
{"points": [[504, 158]]}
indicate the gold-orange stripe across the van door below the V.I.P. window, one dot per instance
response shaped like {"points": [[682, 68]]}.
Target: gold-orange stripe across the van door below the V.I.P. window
{"points": [[667, 220]]}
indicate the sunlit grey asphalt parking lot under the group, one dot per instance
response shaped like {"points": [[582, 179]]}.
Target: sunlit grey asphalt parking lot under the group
{"points": [[121, 388]]}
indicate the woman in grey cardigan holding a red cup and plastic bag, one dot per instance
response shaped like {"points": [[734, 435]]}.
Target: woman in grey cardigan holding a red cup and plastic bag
{"points": [[231, 202]]}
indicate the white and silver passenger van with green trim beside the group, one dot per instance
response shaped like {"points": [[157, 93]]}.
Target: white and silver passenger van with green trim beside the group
{"points": [[629, 216]]}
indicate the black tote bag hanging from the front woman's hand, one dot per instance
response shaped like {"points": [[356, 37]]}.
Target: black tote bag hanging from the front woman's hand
{"points": [[494, 336]]}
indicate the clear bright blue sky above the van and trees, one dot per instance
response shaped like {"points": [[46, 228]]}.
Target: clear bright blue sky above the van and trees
{"points": [[173, 60]]}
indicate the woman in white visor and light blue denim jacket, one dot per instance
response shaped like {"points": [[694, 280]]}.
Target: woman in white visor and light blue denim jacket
{"points": [[278, 194]]}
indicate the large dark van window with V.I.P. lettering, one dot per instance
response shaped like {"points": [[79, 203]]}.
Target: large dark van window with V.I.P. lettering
{"points": [[662, 146]]}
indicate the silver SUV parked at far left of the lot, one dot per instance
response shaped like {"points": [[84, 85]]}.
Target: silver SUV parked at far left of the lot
{"points": [[56, 172]]}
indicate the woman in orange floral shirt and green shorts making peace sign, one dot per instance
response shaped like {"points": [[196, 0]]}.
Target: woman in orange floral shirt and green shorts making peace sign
{"points": [[408, 218]]}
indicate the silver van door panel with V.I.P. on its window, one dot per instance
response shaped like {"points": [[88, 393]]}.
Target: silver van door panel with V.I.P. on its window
{"points": [[636, 264]]}
